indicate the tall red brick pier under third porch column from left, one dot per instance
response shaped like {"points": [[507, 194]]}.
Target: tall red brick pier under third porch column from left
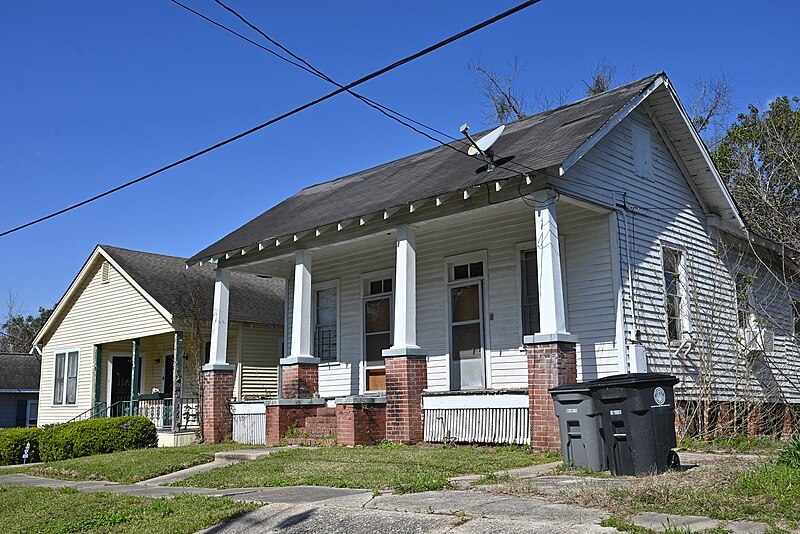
{"points": [[406, 378]]}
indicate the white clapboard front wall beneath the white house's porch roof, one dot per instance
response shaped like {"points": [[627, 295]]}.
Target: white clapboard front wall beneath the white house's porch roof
{"points": [[498, 233]]}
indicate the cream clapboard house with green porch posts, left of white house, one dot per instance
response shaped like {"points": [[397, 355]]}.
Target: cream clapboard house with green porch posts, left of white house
{"points": [[125, 302]]}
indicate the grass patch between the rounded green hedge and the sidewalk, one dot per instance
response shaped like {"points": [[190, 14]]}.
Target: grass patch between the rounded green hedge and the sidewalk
{"points": [[128, 467]]}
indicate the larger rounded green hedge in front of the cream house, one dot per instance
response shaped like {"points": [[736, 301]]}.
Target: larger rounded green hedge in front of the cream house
{"points": [[97, 436]]}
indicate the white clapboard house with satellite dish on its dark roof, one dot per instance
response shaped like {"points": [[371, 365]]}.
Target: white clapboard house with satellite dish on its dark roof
{"points": [[603, 224]]}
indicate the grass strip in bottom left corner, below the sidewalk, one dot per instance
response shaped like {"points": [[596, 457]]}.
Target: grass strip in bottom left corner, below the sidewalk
{"points": [[31, 509]]}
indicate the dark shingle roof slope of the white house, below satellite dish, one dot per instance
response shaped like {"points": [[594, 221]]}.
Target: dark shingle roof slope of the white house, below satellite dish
{"points": [[538, 142]]}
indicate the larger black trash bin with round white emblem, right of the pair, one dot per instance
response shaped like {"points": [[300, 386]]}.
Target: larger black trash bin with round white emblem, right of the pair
{"points": [[638, 422]]}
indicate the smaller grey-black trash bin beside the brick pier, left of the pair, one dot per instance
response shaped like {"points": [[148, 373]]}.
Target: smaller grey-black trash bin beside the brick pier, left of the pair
{"points": [[579, 425]]}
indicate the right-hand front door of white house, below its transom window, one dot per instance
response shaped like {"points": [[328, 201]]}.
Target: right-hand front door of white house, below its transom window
{"points": [[466, 336]]}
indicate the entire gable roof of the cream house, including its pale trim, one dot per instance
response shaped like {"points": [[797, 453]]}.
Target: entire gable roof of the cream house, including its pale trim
{"points": [[174, 290]]}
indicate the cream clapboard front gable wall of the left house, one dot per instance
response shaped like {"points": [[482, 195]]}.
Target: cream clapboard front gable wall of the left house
{"points": [[100, 313]]}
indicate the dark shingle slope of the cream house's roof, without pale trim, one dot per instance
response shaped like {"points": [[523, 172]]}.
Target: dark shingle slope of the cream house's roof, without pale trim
{"points": [[253, 299]]}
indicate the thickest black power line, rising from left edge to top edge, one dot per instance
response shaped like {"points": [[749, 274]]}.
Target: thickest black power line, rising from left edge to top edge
{"points": [[296, 110]]}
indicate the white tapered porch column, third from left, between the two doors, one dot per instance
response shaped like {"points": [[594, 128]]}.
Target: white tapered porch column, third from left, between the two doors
{"points": [[405, 295]]}
